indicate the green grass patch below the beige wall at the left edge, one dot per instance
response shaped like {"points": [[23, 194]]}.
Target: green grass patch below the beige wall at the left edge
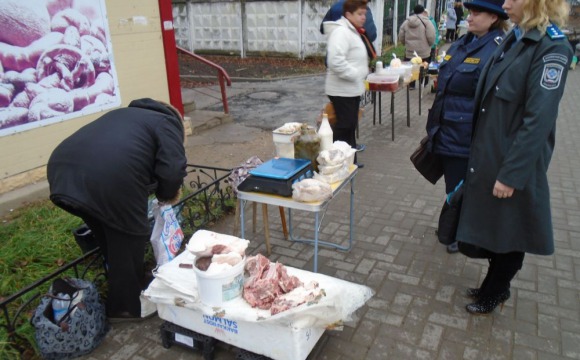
{"points": [[35, 240]]}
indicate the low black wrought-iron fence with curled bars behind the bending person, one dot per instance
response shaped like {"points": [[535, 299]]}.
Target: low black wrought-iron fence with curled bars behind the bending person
{"points": [[208, 197]]}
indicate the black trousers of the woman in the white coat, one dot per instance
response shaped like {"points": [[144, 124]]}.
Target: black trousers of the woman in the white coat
{"points": [[346, 109]]}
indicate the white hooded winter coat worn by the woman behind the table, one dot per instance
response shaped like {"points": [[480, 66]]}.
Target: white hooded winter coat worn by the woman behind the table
{"points": [[347, 59]]}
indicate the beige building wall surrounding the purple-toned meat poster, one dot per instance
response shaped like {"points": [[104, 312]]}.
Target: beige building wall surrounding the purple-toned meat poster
{"points": [[135, 28]]}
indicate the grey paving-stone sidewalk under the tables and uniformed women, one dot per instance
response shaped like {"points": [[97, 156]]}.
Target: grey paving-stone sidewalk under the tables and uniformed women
{"points": [[418, 310]]}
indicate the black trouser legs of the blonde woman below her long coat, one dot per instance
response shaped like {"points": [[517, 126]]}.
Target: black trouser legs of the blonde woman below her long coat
{"points": [[502, 269]]}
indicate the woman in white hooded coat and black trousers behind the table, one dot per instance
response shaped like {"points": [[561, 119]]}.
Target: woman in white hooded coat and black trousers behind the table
{"points": [[347, 62]]}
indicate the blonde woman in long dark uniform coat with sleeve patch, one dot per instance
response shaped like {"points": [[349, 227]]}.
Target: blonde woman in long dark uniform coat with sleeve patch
{"points": [[506, 203]]}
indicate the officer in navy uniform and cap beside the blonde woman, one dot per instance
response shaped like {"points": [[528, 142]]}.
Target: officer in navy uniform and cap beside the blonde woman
{"points": [[449, 121]]}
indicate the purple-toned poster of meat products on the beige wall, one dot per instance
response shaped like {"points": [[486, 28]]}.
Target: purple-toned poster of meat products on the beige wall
{"points": [[56, 62]]}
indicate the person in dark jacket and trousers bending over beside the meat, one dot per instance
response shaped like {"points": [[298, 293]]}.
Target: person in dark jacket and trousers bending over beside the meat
{"points": [[105, 172]]}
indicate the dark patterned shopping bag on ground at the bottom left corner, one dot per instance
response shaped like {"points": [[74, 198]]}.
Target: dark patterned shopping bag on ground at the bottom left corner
{"points": [[80, 330]]}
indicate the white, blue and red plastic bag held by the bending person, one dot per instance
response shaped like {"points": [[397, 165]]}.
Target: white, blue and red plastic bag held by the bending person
{"points": [[167, 235]]}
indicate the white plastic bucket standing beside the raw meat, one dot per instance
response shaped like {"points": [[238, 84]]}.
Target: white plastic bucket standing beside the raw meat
{"points": [[216, 289]]}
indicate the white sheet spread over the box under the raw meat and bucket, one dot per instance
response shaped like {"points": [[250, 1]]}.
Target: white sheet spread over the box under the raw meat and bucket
{"points": [[177, 286]]}
